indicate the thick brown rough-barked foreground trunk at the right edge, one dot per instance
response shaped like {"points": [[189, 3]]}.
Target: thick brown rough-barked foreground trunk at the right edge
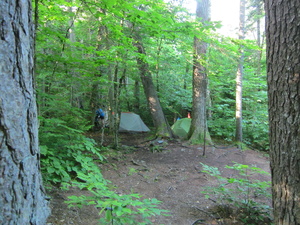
{"points": [[283, 65]]}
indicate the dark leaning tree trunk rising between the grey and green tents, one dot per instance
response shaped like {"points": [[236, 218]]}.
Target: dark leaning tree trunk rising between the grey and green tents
{"points": [[162, 126]]}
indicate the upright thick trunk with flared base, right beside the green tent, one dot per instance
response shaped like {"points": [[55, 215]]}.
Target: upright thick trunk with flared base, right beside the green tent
{"points": [[198, 131]]}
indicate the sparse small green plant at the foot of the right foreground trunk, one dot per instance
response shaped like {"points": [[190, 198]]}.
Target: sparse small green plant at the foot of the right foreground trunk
{"points": [[241, 194]]}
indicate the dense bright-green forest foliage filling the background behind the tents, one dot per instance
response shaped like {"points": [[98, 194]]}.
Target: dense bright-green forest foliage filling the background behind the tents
{"points": [[86, 57]]}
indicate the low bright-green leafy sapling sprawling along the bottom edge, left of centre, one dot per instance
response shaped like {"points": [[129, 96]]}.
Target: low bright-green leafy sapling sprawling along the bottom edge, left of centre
{"points": [[114, 208]]}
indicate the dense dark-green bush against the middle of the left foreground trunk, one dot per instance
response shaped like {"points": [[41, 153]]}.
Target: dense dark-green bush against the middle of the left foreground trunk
{"points": [[64, 151]]}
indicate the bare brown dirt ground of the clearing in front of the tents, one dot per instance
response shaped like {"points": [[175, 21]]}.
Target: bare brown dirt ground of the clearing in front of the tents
{"points": [[172, 175]]}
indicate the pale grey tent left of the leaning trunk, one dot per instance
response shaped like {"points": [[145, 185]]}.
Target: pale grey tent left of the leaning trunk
{"points": [[131, 122]]}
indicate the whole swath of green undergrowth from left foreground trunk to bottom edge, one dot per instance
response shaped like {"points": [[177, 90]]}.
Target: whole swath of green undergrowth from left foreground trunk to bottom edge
{"points": [[69, 159]]}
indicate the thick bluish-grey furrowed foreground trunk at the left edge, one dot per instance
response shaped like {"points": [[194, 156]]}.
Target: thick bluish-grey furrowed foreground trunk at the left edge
{"points": [[22, 197]]}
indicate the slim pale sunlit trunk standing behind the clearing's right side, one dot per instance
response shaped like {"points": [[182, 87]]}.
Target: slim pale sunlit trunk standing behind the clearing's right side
{"points": [[239, 77]]}
